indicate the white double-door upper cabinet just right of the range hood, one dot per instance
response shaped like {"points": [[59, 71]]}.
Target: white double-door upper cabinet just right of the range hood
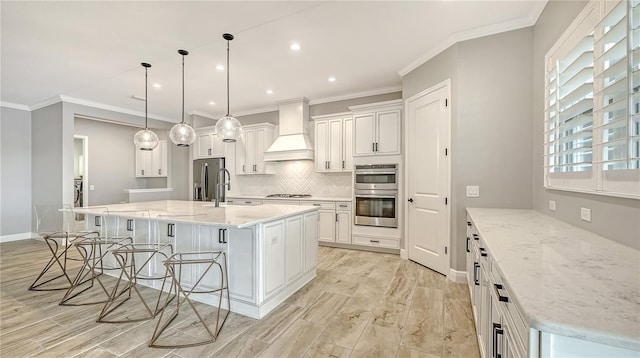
{"points": [[333, 143]]}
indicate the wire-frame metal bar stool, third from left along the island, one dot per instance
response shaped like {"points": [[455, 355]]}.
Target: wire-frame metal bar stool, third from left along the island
{"points": [[136, 260]]}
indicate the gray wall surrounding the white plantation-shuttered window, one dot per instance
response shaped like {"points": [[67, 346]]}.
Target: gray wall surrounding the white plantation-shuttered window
{"points": [[615, 218]]}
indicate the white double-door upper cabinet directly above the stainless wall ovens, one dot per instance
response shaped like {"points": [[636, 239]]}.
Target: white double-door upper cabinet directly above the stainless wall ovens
{"points": [[377, 128]]}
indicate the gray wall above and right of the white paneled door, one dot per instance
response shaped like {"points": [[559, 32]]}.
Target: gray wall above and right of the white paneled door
{"points": [[491, 123]]}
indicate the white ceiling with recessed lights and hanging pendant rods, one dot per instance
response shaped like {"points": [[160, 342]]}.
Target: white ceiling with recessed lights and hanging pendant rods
{"points": [[91, 51]]}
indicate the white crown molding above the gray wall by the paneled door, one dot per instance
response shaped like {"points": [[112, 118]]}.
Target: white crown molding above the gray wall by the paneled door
{"points": [[523, 22]]}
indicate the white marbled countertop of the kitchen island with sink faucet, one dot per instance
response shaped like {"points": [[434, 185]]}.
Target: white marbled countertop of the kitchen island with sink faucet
{"points": [[198, 212]]}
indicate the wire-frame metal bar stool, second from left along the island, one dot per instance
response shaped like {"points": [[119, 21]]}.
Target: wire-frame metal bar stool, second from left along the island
{"points": [[97, 258]]}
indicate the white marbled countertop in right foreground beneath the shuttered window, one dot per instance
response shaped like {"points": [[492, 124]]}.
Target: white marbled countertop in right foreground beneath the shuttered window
{"points": [[568, 281]]}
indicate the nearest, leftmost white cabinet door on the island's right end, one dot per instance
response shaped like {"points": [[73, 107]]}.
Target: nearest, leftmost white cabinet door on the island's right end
{"points": [[273, 257]]}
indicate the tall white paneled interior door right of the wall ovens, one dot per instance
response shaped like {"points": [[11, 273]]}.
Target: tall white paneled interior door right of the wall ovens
{"points": [[427, 176]]}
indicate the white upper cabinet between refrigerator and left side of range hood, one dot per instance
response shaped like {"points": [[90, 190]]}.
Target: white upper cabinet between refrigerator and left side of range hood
{"points": [[250, 148]]}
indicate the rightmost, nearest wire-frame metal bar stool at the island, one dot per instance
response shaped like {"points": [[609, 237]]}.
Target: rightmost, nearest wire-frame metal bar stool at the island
{"points": [[203, 266]]}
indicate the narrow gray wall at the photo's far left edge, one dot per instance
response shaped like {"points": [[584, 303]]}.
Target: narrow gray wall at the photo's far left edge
{"points": [[15, 172]]}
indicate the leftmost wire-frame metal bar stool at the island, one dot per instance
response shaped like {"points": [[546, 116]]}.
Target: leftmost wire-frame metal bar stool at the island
{"points": [[59, 243]]}
